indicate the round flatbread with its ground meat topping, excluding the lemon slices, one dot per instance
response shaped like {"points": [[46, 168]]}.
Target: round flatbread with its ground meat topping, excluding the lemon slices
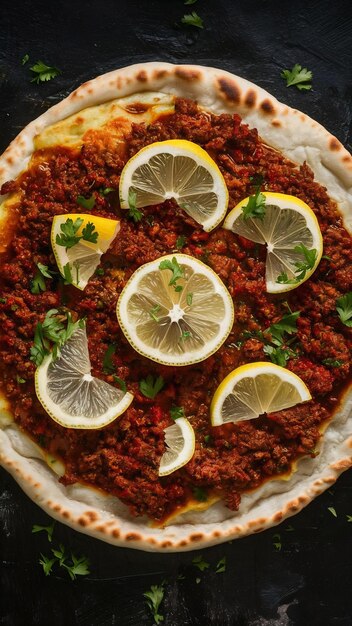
{"points": [[243, 477]]}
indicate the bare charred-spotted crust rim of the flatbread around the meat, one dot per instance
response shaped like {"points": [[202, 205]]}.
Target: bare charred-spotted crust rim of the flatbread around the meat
{"points": [[300, 139]]}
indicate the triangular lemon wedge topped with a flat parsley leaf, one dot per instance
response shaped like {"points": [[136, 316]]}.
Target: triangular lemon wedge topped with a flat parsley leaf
{"points": [[79, 262]]}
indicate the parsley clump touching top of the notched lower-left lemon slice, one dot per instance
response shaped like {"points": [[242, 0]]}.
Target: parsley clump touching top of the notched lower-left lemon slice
{"points": [[52, 333]]}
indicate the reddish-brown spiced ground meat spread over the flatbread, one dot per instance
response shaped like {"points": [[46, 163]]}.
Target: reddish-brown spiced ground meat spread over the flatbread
{"points": [[123, 458]]}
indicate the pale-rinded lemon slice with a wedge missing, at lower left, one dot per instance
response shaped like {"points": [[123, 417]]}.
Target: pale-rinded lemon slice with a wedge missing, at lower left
{"points": [[71, 395]]}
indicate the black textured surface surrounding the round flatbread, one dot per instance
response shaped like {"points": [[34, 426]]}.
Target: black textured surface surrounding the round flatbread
{"points": [[308, 581]]}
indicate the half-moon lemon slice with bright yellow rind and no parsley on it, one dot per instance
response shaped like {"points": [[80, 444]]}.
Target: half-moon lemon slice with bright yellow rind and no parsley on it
{"points": [[254, 389]]}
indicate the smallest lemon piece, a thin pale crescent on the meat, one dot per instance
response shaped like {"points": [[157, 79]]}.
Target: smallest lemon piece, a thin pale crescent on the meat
{"points": [[180, 442]]}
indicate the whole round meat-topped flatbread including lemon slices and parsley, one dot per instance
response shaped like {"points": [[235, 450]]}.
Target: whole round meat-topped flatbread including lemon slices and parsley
{"points": [[175, 308]]}
